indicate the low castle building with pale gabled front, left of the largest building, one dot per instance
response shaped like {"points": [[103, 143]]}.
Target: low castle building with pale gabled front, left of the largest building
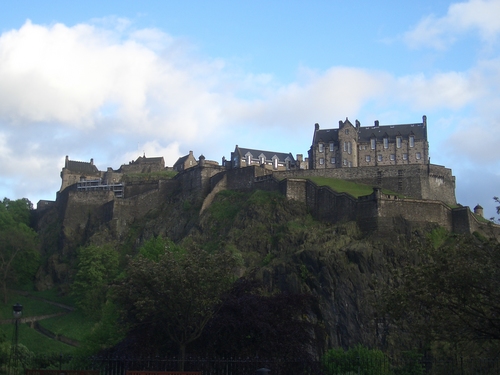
{"points": [[246, 157]]}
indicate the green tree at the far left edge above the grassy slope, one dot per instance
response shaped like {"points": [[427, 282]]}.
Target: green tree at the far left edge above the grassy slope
{"points": [[19, 256]]}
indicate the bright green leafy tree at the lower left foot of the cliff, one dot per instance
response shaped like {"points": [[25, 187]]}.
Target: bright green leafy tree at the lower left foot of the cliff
{"points": [[97, 268]]}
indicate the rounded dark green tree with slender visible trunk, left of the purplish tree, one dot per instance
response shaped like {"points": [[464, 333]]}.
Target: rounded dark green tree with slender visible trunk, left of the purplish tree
{"points": [[178, 294]]}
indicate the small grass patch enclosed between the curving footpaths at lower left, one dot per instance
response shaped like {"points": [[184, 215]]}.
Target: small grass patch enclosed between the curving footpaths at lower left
{"points": [[74, 325]]}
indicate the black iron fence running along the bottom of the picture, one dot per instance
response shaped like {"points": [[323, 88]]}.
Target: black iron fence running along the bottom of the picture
{"points": [[232, 366]]}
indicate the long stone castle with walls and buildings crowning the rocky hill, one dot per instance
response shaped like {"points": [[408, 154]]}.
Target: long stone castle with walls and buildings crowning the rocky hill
{"points": [[388, 158]]}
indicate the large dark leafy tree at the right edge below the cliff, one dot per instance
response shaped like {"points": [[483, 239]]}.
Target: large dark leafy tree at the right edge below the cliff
{"points": [[452, 294]]}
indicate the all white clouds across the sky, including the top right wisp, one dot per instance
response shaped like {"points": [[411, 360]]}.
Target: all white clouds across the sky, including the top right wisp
{"points": [[107, 91]]}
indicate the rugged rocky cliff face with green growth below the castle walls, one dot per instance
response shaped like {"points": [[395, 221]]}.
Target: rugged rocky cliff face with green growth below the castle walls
{"points": [[278, 240]]}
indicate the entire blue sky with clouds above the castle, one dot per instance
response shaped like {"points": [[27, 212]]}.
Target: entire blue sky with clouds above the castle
{"points": [[114, 80]]}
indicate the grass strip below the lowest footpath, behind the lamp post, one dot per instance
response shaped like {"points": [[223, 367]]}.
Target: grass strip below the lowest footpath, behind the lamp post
{"points": [[35, 341]]}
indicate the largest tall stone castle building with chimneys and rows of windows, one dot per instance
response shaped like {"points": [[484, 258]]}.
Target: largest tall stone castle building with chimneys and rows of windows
{"points": [[352, 146]]}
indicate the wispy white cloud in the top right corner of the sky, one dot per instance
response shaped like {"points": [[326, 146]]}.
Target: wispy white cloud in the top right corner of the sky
{"points": [[435, 32]]}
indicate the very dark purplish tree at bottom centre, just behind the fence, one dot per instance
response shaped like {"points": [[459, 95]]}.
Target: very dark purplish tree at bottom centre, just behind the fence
{"points": [[253, 323]]}
